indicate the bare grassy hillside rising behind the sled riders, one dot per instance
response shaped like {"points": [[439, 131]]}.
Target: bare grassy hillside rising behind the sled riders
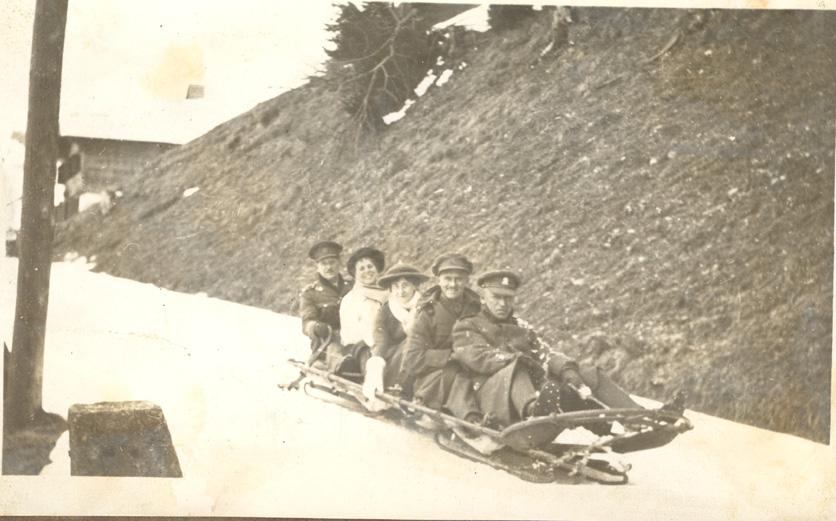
{"points": [[671, 212]]}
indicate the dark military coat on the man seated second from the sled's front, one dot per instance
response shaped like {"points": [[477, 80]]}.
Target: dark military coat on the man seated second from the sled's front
{"points": [[430, 344]]}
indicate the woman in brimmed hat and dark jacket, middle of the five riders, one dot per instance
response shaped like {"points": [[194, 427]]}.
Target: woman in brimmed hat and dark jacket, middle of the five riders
{"points": [[393, 321]]}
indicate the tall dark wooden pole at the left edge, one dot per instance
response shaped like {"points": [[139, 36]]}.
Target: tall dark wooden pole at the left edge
{"points": [[23, 404]]}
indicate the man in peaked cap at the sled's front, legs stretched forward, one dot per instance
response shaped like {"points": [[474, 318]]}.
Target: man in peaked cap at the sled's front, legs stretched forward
{"points": [[515, 375]]}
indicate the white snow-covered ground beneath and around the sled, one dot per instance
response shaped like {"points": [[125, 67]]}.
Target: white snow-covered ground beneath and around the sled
{"points": [[247, 448]]}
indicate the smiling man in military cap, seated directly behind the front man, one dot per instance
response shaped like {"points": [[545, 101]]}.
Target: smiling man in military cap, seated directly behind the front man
{"points": [[427, 366]]}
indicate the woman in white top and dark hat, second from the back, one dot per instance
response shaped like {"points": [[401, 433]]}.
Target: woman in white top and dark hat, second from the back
{"points": [[359, 307]]}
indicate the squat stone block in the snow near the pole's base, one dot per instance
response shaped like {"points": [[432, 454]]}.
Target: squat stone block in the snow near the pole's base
{"points": [[121, 439]]}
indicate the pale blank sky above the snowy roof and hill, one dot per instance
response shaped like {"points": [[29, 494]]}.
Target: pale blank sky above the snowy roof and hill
{"points": [[149, 52]]}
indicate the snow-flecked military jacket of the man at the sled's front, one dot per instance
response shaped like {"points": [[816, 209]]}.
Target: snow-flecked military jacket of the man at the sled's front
{"points": [[485, 344]]}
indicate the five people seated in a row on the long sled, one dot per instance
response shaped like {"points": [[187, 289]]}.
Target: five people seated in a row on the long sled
{"points": [[446, 347]]}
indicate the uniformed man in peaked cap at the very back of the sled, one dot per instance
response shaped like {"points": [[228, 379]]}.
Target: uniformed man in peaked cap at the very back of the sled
{"points": [[319, 302]]}
